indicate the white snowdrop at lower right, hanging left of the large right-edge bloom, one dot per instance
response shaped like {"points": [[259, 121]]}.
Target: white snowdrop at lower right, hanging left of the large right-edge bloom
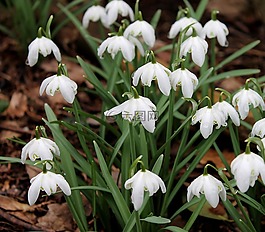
{"points": [[208, 185]]}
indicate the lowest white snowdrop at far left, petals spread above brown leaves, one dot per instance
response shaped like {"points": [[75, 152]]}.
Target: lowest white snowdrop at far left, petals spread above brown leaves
{"points": [[47, 182]]}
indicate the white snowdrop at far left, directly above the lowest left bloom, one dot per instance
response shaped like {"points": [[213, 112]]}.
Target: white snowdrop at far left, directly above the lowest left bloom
{"points": [[41, 148]]}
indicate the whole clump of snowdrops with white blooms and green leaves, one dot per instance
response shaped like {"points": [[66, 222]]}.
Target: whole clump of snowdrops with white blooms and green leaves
{"points": [[148, 105]]}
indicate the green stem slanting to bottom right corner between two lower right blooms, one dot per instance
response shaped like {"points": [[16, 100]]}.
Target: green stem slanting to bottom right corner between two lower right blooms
{"points": [[234, 193]]}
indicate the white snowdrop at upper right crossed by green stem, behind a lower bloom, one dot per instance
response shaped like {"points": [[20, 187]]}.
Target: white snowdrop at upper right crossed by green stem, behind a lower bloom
{"points": [[182, 23]]}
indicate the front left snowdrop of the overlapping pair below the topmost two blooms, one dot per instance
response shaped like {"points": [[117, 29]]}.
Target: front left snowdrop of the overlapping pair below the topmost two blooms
{"points": [[115, 44]]}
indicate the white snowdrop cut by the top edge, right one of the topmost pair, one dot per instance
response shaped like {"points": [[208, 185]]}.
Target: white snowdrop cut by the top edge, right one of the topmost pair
{"points": [[116, 7]]}
